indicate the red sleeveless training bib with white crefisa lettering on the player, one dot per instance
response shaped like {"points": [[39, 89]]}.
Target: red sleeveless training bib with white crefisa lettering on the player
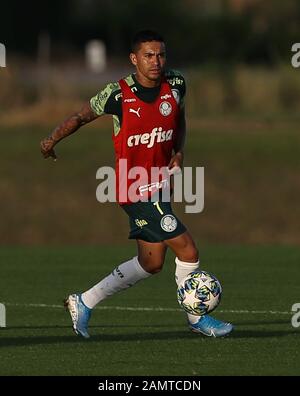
{"points": [[144, 143]]}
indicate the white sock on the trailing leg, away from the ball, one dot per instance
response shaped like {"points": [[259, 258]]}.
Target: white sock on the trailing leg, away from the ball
{"points": [[122, 277]]}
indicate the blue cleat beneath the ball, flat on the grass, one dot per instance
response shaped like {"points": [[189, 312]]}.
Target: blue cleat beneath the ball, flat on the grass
{"points": [[211, 327]]}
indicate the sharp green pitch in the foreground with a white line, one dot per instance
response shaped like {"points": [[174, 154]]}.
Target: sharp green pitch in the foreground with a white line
{"points": [[142, 331]]}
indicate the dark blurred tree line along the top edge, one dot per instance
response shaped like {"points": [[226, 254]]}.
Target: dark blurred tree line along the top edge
{"points": [[251, 31]]}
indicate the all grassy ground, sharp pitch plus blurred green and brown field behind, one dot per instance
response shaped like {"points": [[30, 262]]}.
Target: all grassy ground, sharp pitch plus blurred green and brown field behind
{"points": [[251, 198]]}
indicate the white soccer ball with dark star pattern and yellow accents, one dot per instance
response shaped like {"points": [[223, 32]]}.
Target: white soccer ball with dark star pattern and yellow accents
{"points": [[199, 293]]}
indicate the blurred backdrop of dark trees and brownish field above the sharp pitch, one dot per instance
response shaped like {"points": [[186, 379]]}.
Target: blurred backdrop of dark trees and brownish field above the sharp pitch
{"points": [[243, 102]]}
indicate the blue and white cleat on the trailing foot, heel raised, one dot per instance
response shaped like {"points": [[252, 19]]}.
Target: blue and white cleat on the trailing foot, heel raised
{"points": [[80, 314]]}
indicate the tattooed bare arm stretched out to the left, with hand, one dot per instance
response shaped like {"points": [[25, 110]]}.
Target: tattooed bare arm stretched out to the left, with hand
{"points": [[69, 126]]}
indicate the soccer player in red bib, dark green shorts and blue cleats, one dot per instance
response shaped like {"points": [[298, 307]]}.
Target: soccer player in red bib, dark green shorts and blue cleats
{"points": [[149, 131]]}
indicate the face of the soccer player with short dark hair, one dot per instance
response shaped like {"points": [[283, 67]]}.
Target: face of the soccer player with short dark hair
{"points": [[149, 60]]}
